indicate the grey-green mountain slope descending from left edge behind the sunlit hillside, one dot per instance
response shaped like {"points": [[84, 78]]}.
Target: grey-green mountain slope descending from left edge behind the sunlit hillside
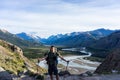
{"points": [[5, 35]]}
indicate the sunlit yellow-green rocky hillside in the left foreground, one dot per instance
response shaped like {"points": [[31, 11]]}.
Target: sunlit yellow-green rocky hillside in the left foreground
{"points": [[13, 62]]}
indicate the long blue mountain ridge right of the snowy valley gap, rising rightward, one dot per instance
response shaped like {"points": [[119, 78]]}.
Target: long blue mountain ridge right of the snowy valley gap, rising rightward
{"points": [[77, 38]]}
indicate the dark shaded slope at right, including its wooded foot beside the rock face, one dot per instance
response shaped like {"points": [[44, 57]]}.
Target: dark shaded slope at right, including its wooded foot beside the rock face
{"points": [[102, 46]]}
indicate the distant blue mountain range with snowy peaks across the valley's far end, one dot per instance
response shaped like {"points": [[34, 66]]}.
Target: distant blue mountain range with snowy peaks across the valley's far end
{"points": [[73, 39]]}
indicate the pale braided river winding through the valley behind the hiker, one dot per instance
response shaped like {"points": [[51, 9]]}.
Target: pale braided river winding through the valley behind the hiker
{"points": [[77, 63]]}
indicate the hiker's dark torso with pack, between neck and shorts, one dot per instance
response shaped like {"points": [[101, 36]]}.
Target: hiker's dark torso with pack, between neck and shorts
{"points": [[52, 58]]}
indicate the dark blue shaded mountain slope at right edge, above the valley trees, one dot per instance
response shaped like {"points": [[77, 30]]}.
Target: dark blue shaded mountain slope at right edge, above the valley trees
{"points": [[109, 42]]}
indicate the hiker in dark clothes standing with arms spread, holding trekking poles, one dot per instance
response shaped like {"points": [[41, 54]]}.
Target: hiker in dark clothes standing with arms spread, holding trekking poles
{"points": [[52, 61]]}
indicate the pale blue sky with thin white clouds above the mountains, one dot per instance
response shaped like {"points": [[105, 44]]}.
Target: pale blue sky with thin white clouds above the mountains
{"points": [[48, 17]]}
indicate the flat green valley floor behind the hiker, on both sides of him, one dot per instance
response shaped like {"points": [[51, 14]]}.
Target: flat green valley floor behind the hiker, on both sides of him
{"points": [[38, 52]]}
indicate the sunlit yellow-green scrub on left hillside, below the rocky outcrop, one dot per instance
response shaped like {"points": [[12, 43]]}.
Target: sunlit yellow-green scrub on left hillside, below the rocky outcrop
{"points": [[11, 62]]}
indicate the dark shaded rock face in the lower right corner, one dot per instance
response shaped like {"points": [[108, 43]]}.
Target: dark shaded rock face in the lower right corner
{"points": [[111, 63]]}
